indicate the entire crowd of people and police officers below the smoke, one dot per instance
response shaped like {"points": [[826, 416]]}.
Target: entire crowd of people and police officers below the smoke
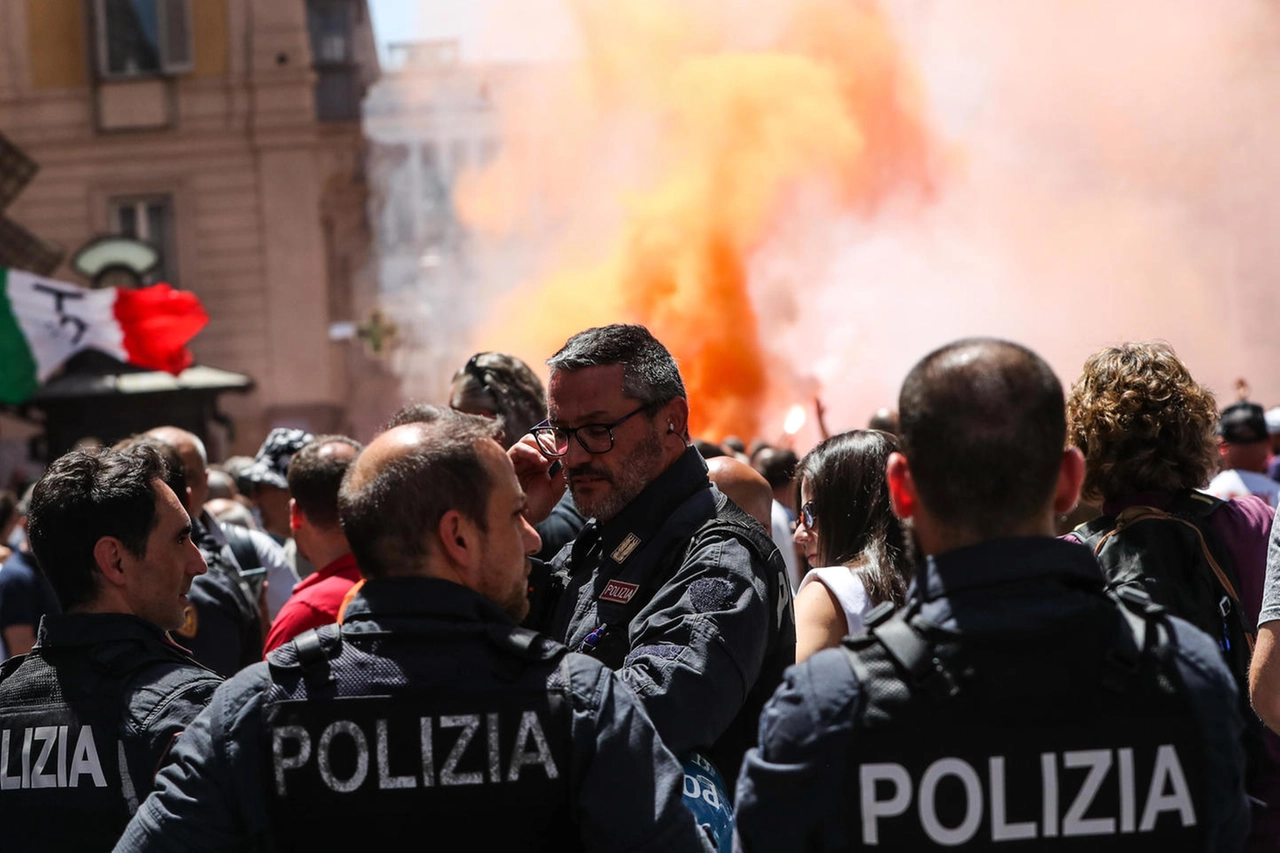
{"points": [[527, 618]]}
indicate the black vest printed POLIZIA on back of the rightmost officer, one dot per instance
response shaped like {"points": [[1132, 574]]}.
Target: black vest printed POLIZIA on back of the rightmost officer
{"points": [[1077, 741]]}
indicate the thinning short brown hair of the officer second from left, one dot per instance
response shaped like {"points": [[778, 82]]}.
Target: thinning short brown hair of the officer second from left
{"points": [[403, 485]]}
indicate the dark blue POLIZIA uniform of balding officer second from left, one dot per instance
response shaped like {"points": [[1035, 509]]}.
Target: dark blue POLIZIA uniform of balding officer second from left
{"points": [[428, 715]]}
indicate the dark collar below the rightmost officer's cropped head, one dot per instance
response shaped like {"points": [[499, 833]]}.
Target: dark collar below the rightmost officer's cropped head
{"points": [[1000, 562]]}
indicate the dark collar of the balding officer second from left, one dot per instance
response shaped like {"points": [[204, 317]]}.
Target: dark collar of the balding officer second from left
{"points": [[417, 597]]}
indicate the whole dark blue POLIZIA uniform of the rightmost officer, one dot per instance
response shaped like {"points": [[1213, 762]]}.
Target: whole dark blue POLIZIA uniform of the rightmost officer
{"points": [[1012, 706]]}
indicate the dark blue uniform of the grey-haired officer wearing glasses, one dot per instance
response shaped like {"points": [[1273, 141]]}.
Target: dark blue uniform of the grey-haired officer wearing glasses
{"points": [[688, 597]]}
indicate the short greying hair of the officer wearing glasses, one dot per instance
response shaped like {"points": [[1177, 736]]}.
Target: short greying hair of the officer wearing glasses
{"points": [[650, 373]]}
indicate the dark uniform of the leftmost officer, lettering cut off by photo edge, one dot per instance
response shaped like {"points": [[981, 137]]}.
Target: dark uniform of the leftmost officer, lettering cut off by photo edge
{"points": [[85, 722]]}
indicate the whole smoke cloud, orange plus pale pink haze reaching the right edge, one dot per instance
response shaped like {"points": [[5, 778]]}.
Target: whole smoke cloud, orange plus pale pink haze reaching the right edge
{"points": [[807, 197]]}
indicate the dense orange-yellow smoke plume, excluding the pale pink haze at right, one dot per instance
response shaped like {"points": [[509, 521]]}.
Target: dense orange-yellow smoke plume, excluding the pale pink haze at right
{"points": [[671, 154]]}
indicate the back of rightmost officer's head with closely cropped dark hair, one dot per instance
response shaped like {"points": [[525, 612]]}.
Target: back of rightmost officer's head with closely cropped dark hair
{"points": [[984, 428]]}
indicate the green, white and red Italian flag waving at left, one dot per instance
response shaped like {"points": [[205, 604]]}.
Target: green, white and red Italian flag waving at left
{"points": [[44, 323]]}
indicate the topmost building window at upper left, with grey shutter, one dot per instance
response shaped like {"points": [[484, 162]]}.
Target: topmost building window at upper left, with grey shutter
{"points": [[143, 38]]}
